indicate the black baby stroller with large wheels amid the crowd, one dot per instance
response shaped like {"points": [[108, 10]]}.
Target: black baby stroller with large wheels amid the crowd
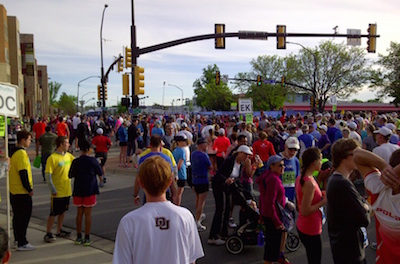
{"points": [[248, 229]]}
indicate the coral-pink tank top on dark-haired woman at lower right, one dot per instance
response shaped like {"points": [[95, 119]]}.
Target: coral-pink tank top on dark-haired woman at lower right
{"points": [[311, 224]]}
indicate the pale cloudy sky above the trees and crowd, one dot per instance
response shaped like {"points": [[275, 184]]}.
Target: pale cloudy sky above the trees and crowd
{"points": [[67, 37]]}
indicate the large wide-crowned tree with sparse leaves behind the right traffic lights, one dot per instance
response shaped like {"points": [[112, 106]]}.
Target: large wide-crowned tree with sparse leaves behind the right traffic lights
{"points": [[329, 69]]}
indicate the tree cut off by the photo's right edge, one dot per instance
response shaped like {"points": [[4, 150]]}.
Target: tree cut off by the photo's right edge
{"points": [[387, 78]]}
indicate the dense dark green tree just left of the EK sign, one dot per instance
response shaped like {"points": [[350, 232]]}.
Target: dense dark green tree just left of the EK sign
{"points": [[208, 94]]}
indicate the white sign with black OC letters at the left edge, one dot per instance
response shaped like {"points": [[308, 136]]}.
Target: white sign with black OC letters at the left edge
{"points": [[8, 100]]}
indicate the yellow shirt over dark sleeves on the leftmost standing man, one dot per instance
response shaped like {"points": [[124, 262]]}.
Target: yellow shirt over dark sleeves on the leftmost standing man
{"points": [[19, 161]]}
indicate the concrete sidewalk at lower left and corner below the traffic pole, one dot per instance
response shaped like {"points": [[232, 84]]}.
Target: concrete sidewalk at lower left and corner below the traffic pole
{"points": [[63, 250]]}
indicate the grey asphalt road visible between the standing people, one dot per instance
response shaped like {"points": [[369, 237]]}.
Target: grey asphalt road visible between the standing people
{"points": [[116, 200]]}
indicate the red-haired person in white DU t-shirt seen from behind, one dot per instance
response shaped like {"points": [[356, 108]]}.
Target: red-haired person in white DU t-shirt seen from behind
{"points": [[159, 231]]}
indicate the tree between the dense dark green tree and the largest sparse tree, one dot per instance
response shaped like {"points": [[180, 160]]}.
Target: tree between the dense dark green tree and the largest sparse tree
{"points": [[267, 96]]}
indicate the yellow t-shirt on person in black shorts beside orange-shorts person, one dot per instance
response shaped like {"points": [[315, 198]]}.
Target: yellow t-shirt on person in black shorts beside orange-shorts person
{"points": [[58, 166]]}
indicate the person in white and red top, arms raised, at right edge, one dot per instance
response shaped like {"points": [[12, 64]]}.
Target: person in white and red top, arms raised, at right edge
{"points": [[385, 201]]}
